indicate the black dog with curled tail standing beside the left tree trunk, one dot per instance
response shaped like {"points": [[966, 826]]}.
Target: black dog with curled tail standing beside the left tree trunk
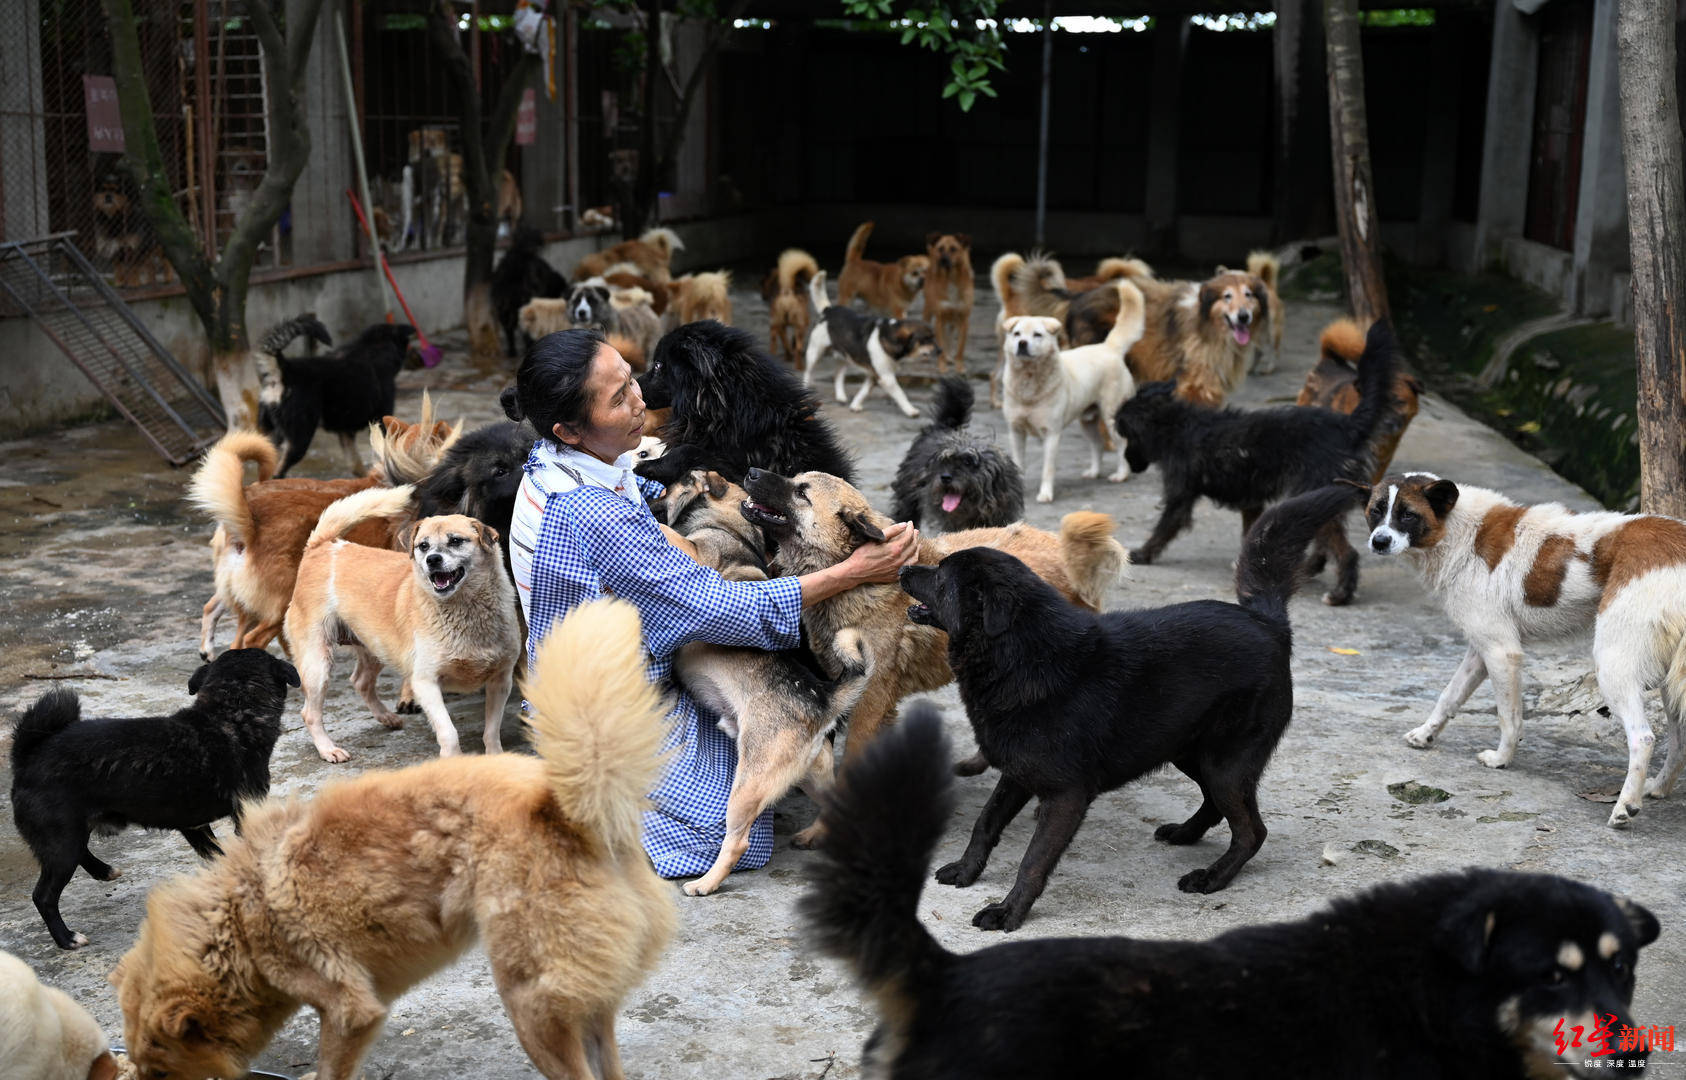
{"points": [[343, 392]]}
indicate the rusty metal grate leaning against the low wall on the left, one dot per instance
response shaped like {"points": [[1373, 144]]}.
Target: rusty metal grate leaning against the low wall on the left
{"points": [[53, 282]]}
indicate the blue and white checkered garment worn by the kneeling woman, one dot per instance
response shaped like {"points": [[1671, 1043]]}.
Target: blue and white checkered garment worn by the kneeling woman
{"points": [[583, 532]]}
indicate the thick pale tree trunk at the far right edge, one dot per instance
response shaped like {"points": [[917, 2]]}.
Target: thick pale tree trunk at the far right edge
{"points": [[1656, 227]]}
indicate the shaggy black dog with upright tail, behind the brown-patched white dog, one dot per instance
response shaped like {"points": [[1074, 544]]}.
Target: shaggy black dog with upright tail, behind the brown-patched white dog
{"points": [[1247, 459]]}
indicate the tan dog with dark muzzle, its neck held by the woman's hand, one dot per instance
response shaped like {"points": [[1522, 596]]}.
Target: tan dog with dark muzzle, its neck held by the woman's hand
{"points": [[817, 521]]}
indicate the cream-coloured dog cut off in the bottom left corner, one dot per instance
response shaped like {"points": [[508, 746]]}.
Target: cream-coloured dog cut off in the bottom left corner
{"points": [[45, 1035]]}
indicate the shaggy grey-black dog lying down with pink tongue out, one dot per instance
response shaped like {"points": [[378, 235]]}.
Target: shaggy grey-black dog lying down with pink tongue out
{"points": [[953, 478]]}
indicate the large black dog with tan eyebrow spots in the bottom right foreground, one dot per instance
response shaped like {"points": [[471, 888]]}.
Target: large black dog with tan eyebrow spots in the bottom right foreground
{"points": [[1449, 976]]}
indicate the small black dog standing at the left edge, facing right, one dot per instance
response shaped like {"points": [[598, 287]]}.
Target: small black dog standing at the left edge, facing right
{"points": [[73, 778]]}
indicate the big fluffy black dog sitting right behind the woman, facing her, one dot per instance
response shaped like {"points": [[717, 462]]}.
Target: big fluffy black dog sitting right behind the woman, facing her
{"points": [[734, 409]]}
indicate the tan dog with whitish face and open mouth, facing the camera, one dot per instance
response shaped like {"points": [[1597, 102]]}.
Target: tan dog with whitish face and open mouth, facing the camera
{"points": [[441, 612]]}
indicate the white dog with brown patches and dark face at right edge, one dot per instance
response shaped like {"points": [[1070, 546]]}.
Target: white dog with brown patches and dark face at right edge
{"points": [[1513, 575]]}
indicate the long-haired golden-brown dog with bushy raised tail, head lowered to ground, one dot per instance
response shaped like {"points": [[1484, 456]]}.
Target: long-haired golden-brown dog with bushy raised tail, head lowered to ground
{"points": [[346, 902]]}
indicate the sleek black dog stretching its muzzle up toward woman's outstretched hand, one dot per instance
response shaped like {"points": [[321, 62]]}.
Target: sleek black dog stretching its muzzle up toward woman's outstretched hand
{"points": [[1070, 705]]}
